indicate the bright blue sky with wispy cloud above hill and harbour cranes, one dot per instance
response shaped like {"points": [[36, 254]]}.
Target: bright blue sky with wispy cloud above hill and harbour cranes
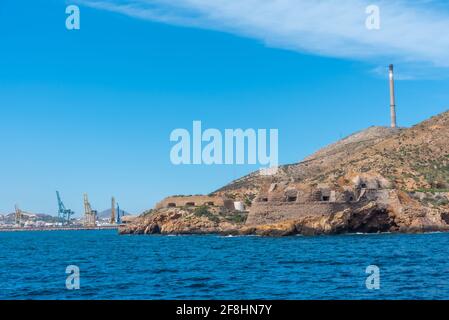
{"points": [[91, 110]]}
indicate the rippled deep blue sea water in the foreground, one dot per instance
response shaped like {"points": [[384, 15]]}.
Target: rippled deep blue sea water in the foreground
{"points": [[33, 265]]}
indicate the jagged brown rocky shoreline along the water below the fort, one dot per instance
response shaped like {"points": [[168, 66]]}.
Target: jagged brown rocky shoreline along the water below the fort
{"points": [[369, 218]]}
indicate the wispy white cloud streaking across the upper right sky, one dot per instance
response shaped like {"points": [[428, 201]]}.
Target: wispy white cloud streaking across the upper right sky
{"points": [[412, 32]]}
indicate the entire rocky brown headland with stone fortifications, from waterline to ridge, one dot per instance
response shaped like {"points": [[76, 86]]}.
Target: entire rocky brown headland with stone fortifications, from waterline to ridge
{"points": [[377, 180]]}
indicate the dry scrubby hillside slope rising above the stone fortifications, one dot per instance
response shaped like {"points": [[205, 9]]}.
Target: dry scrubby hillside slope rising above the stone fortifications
{"points": [[413, 159]]}
